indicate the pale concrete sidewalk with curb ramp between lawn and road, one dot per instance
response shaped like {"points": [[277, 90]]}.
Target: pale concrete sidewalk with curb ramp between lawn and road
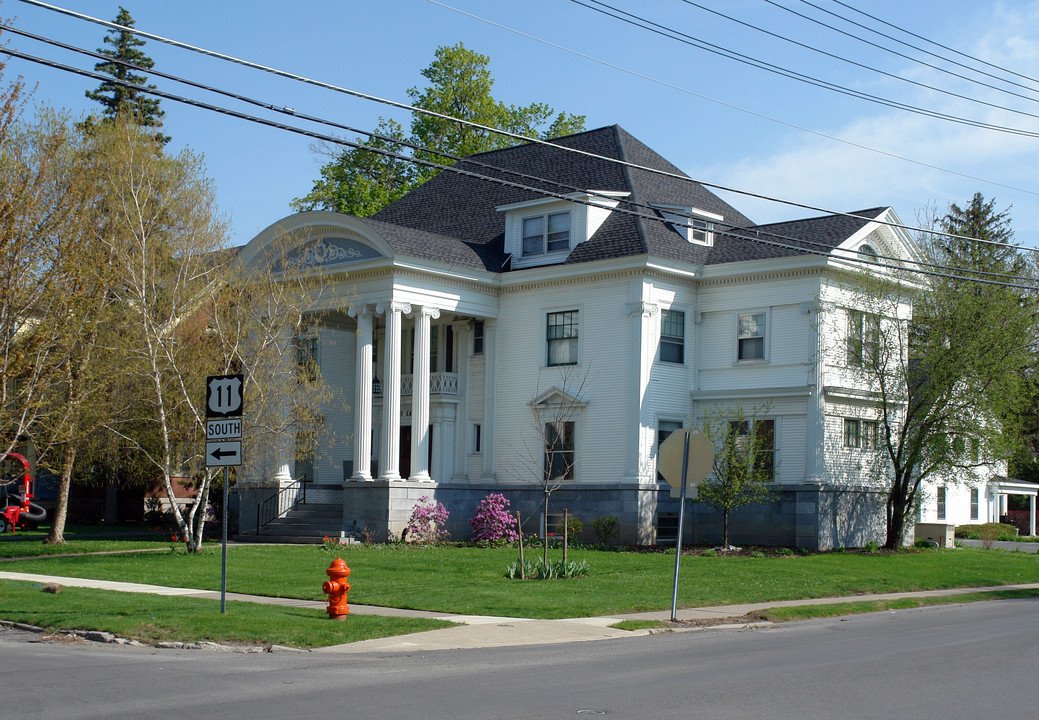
{"points": [[487, 631]]}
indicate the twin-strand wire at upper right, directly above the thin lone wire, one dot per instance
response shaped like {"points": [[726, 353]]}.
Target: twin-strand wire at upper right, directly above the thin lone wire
{"points": [[672, 34]]}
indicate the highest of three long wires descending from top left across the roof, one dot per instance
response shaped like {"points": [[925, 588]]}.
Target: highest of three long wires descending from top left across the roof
{"points": [[517, 137]]}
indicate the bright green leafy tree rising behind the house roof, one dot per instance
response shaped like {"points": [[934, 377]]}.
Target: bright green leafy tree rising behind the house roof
{"points": [[360, 182]]}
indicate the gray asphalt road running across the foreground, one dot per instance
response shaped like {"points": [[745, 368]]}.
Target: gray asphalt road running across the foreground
{"points": [[946, 662]]}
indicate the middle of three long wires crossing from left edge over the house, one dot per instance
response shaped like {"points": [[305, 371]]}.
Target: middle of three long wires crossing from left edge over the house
{"points": [[647, 211]]}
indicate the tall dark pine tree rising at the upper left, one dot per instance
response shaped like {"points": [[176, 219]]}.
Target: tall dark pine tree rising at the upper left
{"points": [[120, 95]]}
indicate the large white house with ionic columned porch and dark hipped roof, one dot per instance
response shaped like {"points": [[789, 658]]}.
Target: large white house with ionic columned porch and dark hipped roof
{"points": [[468, 313]]}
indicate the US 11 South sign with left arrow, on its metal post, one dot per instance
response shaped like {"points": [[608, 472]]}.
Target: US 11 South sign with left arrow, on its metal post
{"points": [[224, 448]]}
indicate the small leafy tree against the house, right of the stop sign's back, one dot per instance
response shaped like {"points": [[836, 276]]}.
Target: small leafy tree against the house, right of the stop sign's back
{"points": [[744, 462]]}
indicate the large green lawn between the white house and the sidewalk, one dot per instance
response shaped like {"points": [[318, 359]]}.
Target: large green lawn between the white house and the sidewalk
{"points": [[470, 580]]}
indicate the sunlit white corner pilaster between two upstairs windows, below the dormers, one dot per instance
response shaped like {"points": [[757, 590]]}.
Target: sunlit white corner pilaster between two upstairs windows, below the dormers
{"points": [[640, 362]]}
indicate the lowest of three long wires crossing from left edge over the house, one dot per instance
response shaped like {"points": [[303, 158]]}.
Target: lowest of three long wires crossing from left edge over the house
{"points": [[735, 232]]}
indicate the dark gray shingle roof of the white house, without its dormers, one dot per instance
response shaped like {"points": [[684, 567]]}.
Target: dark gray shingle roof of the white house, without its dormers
{"points": [[452, 218]]}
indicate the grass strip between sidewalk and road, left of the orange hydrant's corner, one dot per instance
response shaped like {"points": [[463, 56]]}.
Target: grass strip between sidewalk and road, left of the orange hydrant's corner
{"points": [[151, 619]]}
